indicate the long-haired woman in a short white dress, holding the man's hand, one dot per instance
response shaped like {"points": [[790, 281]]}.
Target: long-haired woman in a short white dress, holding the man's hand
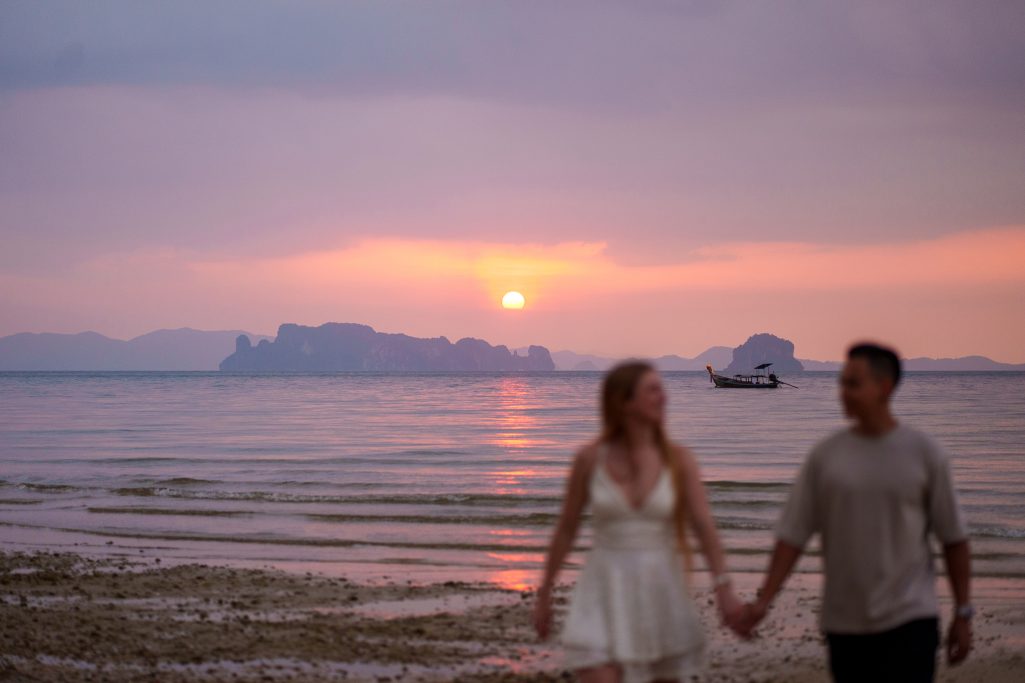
{"points": [[631, 617]]}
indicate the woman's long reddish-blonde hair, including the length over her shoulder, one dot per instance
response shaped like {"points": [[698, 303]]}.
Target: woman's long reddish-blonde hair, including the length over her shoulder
{"points": [[618, 390]]}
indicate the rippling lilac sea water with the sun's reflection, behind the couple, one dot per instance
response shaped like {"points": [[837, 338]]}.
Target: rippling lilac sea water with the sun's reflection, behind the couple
{"points": [[433, 477]]}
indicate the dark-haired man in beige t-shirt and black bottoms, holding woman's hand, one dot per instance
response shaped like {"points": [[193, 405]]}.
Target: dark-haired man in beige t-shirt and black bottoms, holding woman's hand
{"points": [[875, 493]]}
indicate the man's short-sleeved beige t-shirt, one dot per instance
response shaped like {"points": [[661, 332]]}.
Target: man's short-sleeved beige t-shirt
{"points": [[875, 501]]}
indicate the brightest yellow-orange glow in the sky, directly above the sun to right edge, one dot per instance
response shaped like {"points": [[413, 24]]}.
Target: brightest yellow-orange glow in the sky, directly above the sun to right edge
{"points": [[583, 270]]}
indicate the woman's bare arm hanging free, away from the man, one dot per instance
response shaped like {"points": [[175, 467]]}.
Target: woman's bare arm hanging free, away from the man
{"points": [[566, 532]]}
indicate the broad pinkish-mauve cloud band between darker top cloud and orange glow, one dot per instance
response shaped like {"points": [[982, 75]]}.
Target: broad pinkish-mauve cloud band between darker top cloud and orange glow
{"points": [[93, 170]]}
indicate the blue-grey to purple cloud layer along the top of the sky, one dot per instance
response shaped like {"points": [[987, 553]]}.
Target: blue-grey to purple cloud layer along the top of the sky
{"points": [[596, 55]]}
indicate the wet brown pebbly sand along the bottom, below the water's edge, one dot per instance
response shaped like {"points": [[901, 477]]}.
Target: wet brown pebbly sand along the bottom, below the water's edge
{"points": [[67, 618]]}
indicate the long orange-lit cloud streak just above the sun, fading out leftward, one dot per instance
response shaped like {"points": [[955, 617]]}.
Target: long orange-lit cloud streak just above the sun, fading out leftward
{"points": [[571, 274]]}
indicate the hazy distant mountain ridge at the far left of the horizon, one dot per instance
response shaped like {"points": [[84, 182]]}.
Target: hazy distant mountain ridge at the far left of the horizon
{"points": [[163, 350]]}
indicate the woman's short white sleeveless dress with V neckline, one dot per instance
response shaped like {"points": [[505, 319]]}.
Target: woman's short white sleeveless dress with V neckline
{"points": [[631, 606]]}
